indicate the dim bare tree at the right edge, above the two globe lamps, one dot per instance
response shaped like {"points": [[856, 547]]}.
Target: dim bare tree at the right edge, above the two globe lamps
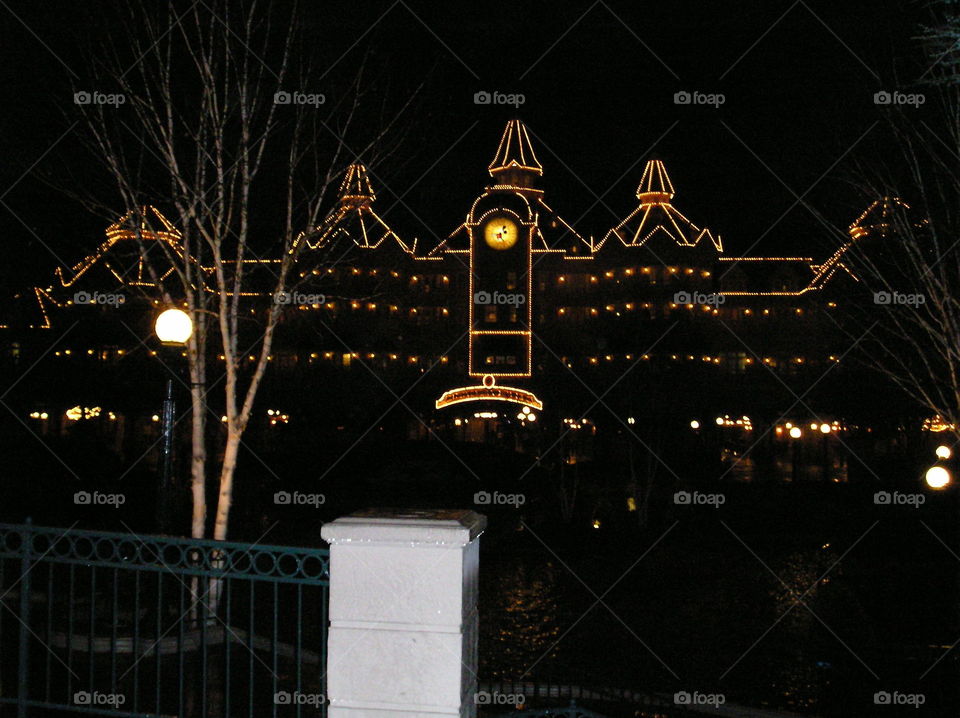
{"points": [[905, 249]]}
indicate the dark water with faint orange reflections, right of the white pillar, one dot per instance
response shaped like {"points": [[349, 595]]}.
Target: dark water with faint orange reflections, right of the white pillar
{"points": [[810, 609]]}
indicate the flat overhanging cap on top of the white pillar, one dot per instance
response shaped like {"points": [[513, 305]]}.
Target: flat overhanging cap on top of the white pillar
{"points": [[452, 528]]}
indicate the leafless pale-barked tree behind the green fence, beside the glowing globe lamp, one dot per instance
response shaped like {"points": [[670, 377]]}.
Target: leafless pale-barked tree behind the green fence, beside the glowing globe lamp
{"points": [[218, 121]]}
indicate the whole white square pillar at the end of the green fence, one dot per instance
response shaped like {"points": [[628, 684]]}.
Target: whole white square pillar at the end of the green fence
{"points": [[403, 614]]}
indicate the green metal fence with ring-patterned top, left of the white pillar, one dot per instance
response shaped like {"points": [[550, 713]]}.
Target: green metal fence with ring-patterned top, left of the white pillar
{"points": [[126, 625]]}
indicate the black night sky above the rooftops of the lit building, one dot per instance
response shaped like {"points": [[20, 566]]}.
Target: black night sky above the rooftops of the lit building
{"points": [[599, 83]]}
